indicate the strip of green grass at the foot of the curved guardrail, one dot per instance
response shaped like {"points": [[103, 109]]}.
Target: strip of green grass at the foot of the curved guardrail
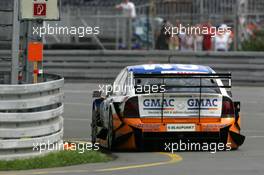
{"points": [[57, 159]]}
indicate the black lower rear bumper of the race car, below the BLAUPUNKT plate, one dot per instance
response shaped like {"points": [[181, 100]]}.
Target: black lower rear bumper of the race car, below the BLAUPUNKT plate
{"points": [[224, 138]]}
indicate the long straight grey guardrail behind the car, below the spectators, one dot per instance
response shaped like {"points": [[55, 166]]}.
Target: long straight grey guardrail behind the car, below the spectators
{"points": [[247, 68]]}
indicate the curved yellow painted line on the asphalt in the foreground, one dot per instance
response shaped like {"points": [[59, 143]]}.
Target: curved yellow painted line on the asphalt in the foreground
{"points": [[173, 158]]}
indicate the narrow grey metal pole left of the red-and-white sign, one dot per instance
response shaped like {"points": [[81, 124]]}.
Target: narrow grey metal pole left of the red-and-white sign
{"points": [[15, 44]]}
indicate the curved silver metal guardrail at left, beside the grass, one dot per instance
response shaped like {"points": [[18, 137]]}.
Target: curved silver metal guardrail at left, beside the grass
{"points": [[30, 114]]}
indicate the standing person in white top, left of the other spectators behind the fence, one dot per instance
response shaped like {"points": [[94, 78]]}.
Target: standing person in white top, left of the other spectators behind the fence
{"points": [[128, 15]]}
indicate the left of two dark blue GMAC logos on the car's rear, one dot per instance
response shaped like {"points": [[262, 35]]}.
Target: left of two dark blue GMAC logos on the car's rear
{"points": [[158, 103]]}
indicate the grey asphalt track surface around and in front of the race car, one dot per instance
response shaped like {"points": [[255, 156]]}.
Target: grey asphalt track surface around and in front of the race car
{"points": [[248, 160]]}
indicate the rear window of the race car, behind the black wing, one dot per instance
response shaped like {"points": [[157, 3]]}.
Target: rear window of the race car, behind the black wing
{"points": [[172, 85]]}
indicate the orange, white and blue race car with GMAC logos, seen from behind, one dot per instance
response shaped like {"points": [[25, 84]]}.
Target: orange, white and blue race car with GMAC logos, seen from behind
{"points": [[150, 104]]}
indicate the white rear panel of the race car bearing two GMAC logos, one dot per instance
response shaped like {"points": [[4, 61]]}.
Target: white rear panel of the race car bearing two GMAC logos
{"points": [[173, 106]]}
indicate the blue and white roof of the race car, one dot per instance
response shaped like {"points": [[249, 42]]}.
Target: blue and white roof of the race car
{"points": [[168, 68]]}
